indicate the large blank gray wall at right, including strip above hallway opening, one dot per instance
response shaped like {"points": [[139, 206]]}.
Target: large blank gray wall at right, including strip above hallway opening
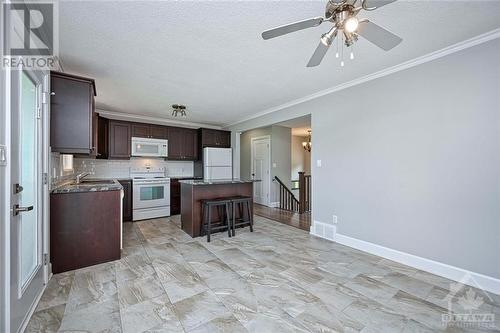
{"points": [[411, 161]]}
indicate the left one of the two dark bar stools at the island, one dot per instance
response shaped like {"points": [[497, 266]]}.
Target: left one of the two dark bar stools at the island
{"points": [[222, 206]]}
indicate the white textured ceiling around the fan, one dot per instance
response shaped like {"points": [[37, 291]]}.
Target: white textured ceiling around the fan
{"points": [[147, 55]]}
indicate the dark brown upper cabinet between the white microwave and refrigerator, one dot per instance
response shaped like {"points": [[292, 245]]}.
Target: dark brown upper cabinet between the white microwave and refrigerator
{"points": [[182, 144]]}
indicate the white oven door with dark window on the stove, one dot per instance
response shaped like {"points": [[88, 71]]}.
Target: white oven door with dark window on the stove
{"points": [[151, 194]]}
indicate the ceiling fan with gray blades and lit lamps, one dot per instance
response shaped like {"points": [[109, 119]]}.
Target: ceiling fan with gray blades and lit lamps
{"points": [[343, 15]]}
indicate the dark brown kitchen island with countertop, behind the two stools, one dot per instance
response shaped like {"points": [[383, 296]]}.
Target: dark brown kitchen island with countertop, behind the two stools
{"points": [[194, 191]]}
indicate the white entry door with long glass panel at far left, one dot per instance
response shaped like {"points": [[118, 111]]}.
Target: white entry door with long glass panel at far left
{"points": [[27, 271]]}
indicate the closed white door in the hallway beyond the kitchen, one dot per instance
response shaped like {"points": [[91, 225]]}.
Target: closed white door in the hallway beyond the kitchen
{"points": [[261, 157]]}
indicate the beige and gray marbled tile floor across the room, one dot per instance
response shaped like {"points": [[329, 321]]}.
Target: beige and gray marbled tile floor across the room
{"points": [[276, 279]]}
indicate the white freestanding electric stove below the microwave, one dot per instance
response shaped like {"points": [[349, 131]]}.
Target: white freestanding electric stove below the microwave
{"points": [[151, 193]]}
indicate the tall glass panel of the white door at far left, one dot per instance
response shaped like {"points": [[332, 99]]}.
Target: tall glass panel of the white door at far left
{"points": [[28, 168]]}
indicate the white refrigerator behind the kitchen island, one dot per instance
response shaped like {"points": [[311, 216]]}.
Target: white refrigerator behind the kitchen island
{"points": [[217, 163]]}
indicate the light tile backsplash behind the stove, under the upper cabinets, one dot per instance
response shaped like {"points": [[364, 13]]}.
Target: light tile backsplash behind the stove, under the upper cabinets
{"points": [[121, 169]]}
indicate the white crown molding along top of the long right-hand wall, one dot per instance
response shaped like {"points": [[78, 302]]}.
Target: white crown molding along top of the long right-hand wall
{"points": [[480, 39]]}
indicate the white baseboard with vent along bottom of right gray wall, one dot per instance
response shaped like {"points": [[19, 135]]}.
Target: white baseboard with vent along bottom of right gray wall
{"points": [[488, 283]]}
